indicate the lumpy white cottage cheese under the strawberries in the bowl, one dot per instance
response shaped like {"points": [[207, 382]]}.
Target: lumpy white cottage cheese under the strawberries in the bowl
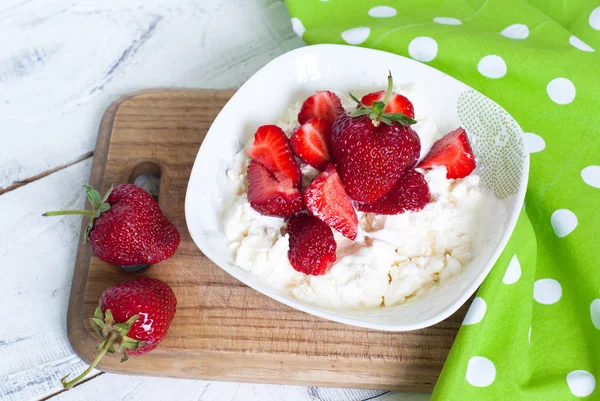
{"points": [[395, 257]]}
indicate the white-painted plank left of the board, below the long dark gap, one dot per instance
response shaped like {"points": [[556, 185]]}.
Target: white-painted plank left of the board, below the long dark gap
{"points": [[37, 255]]}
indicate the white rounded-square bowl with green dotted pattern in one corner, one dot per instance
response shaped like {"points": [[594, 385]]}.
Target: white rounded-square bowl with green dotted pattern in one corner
{"points": [[497, 142]]}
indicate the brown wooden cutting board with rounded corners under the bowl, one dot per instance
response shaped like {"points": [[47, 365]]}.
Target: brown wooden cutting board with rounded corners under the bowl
{"points": [[224, 330]]}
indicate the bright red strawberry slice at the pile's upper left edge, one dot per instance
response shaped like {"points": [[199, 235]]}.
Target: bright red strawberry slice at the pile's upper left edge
{"points": [[271, 148]]}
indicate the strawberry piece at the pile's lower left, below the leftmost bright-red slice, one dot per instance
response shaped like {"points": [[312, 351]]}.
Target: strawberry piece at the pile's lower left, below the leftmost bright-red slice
{"points": [[272, 195]]}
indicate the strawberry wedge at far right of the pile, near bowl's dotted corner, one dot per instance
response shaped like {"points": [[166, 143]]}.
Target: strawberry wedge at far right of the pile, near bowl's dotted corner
{"points": [[452, 151]]}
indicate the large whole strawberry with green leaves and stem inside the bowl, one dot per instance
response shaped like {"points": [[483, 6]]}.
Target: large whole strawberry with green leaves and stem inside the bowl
{"points": [[372, 149]]}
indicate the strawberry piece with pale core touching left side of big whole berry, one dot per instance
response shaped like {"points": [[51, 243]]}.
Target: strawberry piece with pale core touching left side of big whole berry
{"points": [[311, 143]]}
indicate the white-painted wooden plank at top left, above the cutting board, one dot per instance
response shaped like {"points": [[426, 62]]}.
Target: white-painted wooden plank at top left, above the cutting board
{"points": [[62, 63]]}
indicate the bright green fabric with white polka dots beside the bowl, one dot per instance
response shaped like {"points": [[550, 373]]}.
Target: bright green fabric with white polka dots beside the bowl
{"points": [[564, 185]]}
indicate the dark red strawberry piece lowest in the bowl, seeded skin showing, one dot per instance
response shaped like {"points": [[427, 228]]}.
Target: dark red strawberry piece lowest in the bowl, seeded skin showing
{"points": [[312, 247]]}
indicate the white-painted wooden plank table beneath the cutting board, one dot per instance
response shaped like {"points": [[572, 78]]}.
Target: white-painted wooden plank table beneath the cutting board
{"points": [[62, 63]]}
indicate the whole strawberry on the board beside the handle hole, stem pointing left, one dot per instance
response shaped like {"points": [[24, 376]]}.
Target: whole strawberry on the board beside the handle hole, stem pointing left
{"points": [[127, 227]]}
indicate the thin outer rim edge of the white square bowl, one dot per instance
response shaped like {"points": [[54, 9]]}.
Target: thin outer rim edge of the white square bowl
{"points": [[332, 314]]}
